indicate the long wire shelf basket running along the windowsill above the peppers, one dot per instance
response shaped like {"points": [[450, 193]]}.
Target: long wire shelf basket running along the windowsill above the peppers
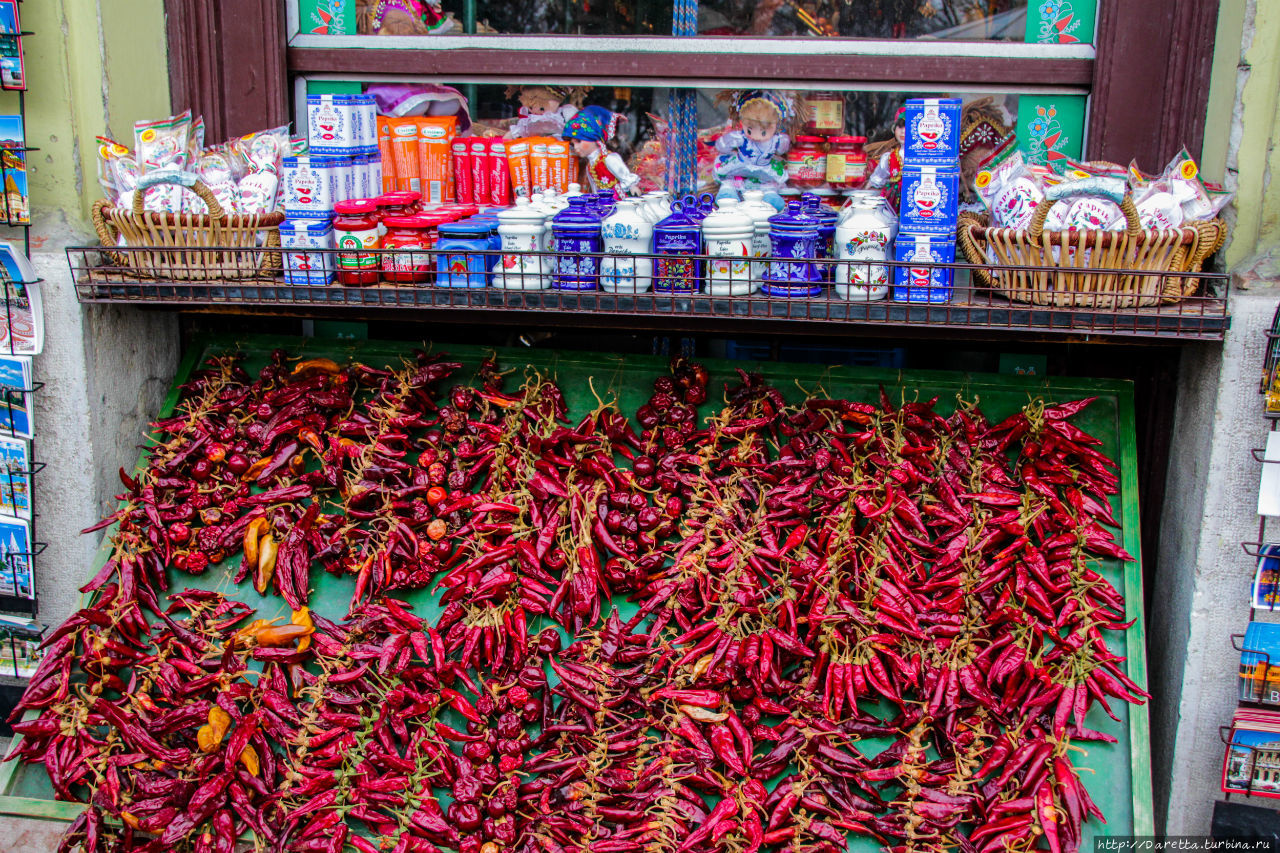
{"points": [[656, 294]]}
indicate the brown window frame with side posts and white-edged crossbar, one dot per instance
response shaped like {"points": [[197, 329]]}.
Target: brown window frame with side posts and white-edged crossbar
{"points": [[1148, 80]]}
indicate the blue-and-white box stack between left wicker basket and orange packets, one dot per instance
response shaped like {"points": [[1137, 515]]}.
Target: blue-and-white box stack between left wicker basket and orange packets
{"points": [[342, 163]]}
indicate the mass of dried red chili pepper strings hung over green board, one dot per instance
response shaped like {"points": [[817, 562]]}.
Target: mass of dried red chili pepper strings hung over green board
{"points": [[726, 623]]}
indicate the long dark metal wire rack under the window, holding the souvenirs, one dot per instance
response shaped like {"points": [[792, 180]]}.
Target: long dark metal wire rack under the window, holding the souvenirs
{"points": [[190, 279]]}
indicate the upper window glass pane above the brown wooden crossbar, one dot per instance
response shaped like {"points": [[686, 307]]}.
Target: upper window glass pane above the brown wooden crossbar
{"points": [[1031, 21]]}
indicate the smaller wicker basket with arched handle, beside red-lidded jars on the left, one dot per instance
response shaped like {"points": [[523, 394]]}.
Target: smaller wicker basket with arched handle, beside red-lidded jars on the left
{"points": [[189, 248]]}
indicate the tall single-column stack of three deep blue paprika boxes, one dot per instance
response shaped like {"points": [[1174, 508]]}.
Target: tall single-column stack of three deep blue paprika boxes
{"points": [[930, 203]]}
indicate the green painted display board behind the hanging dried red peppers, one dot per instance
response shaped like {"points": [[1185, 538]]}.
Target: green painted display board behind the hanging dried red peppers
{"points": [[1118, 776]]}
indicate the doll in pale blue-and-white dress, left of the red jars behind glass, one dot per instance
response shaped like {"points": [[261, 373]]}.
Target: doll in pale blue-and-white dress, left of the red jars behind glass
{"points": [[751, 157]]}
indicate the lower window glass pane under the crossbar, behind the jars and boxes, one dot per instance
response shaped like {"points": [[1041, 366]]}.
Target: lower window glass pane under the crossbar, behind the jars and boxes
{"points": [[847, 134]]}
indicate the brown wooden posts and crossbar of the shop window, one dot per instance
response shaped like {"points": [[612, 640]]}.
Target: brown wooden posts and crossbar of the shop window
{"points": [[1149, 84]]}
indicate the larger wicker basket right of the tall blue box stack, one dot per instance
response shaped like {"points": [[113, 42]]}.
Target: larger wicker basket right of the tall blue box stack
{"points": [[1060, 263]]}
